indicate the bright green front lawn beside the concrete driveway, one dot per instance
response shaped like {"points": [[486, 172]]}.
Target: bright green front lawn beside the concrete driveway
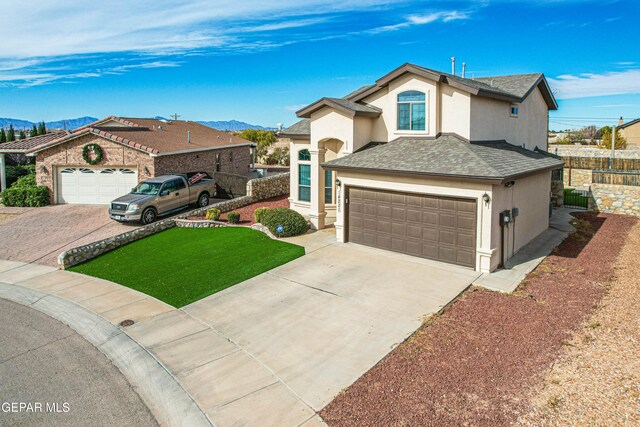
{"points": [[182, 265]]}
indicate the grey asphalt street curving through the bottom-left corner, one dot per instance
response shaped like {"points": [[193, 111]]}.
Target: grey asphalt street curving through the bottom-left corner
{"points": [[44, 361]]}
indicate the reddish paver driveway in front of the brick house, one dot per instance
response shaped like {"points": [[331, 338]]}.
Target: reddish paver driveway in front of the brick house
{"points": [[39, 235]]}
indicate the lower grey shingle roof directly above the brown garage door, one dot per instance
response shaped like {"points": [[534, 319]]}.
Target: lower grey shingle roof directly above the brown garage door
{"points": [[449, 155]]}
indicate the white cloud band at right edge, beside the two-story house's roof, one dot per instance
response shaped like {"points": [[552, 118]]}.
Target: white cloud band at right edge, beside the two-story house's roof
{"points": [[588, 85]]}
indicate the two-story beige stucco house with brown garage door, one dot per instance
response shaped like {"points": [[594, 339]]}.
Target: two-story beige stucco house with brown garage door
{"points": [[423, 162]]}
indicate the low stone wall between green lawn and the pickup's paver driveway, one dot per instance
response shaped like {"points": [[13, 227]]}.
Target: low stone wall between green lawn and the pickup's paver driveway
{"points": [[257, 189]]}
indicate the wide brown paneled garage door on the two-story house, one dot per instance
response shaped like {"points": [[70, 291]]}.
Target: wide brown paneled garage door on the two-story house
{"points": [[434, 227]]}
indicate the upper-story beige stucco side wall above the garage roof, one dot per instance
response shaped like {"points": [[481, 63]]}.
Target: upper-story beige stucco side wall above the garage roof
{"points": [[491, 120]]}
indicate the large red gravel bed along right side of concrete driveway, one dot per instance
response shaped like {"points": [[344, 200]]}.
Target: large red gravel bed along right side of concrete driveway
{"points": [[478, 363]]}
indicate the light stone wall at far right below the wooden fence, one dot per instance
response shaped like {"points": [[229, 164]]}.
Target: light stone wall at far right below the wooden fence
{"points": [[619, 199]]}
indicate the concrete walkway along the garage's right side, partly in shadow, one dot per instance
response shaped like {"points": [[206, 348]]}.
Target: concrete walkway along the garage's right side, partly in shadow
{"points": [[530, 256]]}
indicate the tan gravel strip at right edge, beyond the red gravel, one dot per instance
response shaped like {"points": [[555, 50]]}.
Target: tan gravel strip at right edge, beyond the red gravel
{"points": [[596, 381]]}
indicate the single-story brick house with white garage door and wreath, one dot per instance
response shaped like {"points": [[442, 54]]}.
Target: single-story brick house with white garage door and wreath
{"points": [[133, 149]]}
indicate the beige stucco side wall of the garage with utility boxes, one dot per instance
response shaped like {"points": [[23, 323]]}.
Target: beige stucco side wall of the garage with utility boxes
{"points": [[531, 196]]}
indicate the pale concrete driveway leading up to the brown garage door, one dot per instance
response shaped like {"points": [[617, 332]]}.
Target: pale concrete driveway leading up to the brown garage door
{"points": [[294, 337]]}
